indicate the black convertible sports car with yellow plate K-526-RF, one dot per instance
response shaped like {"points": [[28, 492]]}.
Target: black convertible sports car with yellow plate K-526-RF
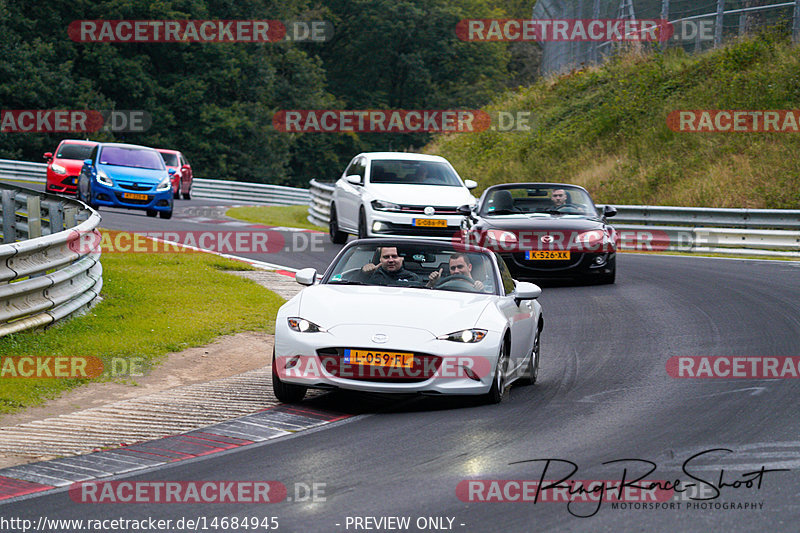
{"points": [[544, 230]]}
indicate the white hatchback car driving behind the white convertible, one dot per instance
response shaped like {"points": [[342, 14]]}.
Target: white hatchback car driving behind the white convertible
{"points": [[398, 194]]}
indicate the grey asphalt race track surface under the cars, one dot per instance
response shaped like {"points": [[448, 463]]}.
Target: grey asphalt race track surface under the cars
{"points": [[604, 395]]}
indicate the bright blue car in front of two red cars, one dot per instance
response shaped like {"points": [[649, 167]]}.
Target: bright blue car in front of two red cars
{"points": [[126, 175]]}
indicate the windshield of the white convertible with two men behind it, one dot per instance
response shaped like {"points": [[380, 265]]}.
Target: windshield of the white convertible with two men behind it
{"points": [[428, 267]]}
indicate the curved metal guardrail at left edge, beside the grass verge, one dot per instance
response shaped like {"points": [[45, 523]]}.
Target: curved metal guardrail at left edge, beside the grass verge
{"points": [[49, 269]]}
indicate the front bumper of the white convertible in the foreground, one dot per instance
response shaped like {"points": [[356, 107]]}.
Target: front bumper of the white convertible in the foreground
{"points": [[315, 360]]}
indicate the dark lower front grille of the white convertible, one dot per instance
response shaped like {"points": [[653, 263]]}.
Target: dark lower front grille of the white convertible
{"points": [[423, 367]]}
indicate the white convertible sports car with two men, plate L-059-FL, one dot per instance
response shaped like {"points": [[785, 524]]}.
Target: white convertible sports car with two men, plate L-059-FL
{"points": [[408, 316]]}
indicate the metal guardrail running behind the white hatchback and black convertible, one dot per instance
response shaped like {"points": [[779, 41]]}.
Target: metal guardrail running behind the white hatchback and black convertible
{"points": [[764, 232]]}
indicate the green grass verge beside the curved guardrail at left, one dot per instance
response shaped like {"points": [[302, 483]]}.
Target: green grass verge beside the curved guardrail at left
{"points": [[152, 304]]}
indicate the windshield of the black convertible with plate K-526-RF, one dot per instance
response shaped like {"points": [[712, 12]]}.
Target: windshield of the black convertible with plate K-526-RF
{"points": [[530, 198]]}
